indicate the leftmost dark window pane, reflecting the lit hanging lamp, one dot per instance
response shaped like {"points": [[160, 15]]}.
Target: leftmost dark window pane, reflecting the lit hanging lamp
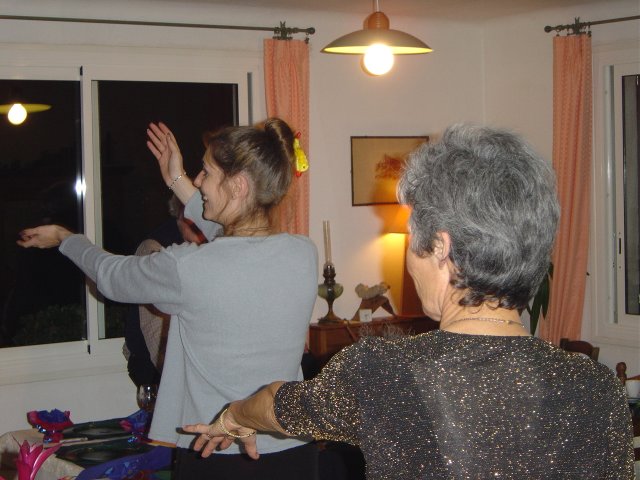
{"points": [[41, 292]]}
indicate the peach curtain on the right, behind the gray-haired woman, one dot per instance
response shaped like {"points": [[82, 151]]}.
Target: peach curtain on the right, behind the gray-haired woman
{"points": [[572, 152]]}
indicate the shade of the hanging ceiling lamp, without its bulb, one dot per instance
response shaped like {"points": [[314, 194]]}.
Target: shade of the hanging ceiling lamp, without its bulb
{"points": [[376, 31]]}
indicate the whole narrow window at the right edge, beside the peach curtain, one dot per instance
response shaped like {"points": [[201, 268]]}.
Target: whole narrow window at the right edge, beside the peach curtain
{"points": [[615, 250]]}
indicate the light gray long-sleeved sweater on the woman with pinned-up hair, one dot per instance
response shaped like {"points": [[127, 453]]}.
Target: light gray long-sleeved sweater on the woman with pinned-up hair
{"points": [[240, 310]]}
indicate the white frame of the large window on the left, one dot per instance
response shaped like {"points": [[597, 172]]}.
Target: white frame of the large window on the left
{"points": [[88, 65]]}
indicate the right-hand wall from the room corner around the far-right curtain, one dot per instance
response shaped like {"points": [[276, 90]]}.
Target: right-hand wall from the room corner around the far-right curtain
{"points": [[519, 90]]}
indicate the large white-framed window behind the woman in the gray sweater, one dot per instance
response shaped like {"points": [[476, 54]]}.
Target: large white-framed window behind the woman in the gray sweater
{"points": [[84, 163]]}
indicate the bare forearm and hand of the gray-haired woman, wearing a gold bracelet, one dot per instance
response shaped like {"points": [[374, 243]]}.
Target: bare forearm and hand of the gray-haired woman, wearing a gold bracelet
{"points": [[241, 419]]}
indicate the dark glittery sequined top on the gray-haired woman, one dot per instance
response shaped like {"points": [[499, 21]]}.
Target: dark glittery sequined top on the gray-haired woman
{"points": [[443, 405]]}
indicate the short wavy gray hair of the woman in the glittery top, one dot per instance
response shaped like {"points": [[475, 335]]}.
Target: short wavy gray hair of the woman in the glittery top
{"points": [[496, 199]]}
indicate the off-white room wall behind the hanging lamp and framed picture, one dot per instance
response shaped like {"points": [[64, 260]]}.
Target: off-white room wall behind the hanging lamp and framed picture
{"points": [[474, 74]]}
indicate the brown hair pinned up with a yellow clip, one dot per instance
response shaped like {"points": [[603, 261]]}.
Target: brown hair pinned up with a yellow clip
{"points": [[264, 152]]}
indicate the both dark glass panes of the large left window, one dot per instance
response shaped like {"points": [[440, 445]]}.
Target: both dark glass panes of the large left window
{"points": [[42, 294]]}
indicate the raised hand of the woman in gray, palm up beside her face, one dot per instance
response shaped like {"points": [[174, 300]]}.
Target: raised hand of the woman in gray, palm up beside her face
{"points": [[164, 147]]}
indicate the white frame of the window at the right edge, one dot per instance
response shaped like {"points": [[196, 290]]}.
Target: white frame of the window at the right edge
{"points": [[607, 325]]}
